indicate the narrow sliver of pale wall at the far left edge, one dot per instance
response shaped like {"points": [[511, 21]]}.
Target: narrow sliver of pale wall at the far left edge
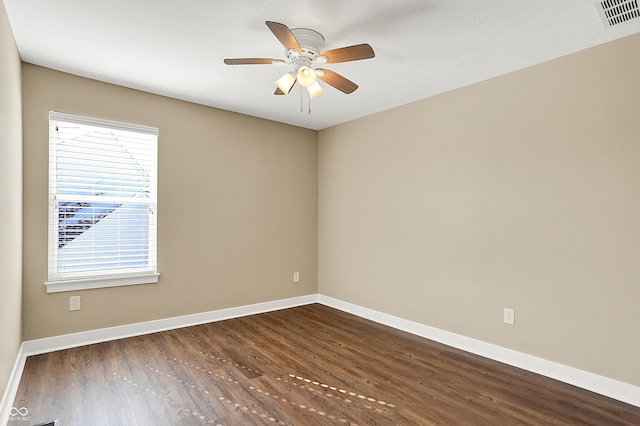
{"points": [[11, 196]]}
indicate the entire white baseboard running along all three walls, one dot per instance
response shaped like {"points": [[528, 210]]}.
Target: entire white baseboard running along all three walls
{"points": [[605, 386]]}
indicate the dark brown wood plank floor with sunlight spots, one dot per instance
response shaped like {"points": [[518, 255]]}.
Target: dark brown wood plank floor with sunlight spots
{"points": [[310, 365]]}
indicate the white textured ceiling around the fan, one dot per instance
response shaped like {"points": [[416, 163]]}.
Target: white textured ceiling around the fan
{"points": [[176, 48]]}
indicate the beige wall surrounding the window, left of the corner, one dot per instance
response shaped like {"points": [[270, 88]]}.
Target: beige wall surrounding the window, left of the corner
{"points": [[237, 209]]}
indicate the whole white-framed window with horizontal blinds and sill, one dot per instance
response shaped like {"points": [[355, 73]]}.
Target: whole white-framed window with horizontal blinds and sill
{"points": [[102, 203]]}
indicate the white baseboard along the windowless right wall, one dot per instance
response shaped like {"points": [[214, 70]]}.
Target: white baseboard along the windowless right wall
{"points": [[602, 385]]}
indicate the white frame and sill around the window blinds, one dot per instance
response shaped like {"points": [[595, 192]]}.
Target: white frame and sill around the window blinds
{"points": [[66, 281]]}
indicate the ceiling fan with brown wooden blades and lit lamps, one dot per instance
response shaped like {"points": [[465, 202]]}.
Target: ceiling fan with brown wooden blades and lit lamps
{"points": [[303, 51]]}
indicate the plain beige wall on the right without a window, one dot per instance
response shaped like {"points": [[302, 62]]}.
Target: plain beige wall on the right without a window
{"points": [[522, 191]]}
